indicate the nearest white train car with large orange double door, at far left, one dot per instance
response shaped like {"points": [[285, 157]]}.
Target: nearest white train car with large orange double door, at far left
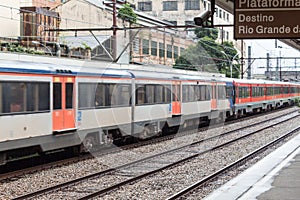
{"points": [[44, 107]]}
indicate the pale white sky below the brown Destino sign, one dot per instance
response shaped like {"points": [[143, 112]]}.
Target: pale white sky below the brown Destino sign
{"points": [[260, 48]]}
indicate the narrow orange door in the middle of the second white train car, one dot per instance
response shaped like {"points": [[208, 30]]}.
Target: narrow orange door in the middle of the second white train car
{"points": [[176, 98]]}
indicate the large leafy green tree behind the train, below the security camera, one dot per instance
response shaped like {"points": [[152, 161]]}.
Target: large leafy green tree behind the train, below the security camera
{"points": [[208, 55]]}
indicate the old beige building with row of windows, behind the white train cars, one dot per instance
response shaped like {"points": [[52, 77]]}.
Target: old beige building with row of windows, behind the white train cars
{"points": [[153, 46]]}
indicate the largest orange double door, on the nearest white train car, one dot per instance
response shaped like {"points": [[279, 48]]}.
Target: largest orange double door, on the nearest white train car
{"points": [[63, 104]]}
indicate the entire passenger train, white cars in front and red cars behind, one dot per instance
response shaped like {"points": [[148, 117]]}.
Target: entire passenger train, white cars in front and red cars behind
{"points": [[59, 104]]}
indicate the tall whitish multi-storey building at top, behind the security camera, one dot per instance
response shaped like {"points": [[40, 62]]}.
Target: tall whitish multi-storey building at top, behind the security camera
{"points": [[183, 13]]}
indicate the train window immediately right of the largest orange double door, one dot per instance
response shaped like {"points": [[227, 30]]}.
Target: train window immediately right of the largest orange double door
{"points": [[86, 95]]}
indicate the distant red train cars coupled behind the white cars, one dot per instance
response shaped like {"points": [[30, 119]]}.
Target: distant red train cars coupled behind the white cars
{"points": [[259, 95]]}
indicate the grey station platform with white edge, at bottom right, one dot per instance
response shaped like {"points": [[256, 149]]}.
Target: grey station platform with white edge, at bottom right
{"points": [[275, 177]]}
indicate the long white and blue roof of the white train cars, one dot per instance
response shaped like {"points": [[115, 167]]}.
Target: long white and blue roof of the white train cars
{"points": [[53, 65]]}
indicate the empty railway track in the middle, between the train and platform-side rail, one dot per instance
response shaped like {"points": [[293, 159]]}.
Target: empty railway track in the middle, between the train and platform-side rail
{"points": [[104, 182]]}
